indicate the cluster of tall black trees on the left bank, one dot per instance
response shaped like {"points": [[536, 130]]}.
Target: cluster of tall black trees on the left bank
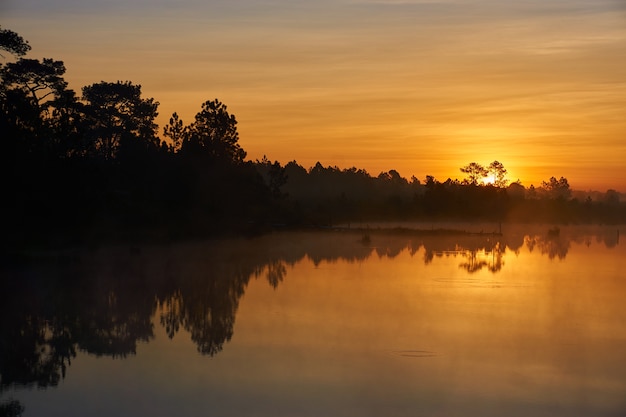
{"points": [[78, 169]]}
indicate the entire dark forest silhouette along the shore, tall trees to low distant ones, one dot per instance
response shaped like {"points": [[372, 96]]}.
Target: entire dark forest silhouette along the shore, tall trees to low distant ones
{"points": [[82, 169]]}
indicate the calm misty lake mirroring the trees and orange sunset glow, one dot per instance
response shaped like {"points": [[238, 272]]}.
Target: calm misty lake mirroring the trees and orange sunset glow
{"points": [[322, 324]]}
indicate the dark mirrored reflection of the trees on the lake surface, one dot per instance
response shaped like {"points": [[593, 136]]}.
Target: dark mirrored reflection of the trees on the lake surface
{"points": [[102, 302]]}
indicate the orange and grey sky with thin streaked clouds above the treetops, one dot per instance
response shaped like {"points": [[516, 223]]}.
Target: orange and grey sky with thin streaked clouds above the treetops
{"points": [[420, 86]]}
